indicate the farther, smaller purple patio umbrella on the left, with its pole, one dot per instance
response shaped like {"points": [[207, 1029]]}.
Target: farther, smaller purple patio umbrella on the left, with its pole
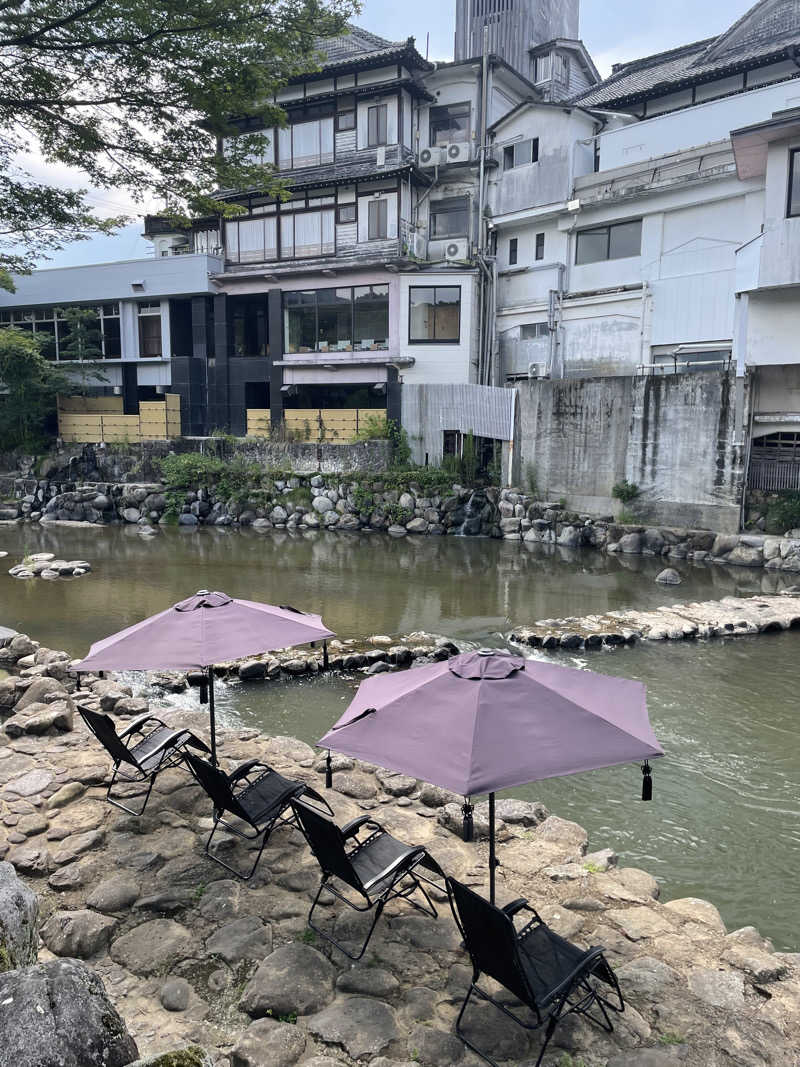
{"points": [[205, 630]]}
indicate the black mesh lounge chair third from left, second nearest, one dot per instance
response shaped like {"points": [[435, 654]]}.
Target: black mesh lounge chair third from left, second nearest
{"points": [[379, 868]]}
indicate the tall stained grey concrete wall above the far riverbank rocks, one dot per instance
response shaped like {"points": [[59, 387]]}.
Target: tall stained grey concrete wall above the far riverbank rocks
{"points": [[671, 436]]}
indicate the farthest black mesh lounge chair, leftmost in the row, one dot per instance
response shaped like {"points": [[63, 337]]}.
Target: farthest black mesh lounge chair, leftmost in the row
{"points": [[159, 747]]}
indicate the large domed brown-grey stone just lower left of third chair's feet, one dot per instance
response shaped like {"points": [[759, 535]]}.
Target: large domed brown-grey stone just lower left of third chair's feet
{"points": [[294, 979]]}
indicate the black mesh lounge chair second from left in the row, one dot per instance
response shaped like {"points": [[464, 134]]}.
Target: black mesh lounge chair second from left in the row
{"points": [[253, 793]]}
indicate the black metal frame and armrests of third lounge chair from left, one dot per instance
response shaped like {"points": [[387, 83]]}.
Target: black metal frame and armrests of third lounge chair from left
{"points": [[404, 869]]}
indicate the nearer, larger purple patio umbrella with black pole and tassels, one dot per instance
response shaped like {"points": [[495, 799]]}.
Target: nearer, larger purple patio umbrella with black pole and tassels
{"points": [[489, 721]]}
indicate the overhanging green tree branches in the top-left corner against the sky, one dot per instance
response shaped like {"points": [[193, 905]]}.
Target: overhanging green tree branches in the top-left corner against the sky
{"points": [[141, 95]]}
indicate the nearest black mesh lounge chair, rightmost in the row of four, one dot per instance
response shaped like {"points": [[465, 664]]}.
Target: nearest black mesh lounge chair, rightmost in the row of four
{"points": [[548, 975]]}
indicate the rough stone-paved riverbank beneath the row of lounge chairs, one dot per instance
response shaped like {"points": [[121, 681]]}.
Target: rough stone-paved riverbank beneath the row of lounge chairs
{"points": [[122, 944]]}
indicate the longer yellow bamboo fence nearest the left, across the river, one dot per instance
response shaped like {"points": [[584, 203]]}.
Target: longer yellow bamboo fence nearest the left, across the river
{"points": [[92, 420]]}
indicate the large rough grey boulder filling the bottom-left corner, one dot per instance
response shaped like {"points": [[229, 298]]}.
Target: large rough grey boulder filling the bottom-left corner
{"points": [[59, 1014]]}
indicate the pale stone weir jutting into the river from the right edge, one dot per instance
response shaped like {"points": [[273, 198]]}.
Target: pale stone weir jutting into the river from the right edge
{"points": [[730, 617]]}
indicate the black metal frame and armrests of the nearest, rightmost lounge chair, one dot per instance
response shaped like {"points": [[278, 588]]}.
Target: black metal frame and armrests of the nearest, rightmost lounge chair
{"points": [[573, 995]]}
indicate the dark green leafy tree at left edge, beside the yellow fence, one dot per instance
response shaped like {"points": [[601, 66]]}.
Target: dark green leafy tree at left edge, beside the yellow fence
{"points": [[31, 388]]}
